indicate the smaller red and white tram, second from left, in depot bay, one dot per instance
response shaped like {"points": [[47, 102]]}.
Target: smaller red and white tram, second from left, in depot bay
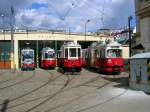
{"points": [[48, 59]]}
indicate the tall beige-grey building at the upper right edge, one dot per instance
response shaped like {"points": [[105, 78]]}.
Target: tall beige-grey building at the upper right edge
{"points": [[141, 40]]}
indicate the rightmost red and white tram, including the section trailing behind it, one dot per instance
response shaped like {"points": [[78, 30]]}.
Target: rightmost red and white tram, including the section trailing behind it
{"points": [[106, 57]]}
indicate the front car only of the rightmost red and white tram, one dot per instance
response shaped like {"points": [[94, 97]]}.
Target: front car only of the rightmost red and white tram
{"points": [[109, 57]]}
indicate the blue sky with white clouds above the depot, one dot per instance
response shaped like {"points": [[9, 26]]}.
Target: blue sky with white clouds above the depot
{"points": [[68, 15]]}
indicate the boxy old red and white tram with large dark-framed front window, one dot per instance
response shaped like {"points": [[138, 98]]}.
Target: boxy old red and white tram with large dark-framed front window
{"points": [[70, 57]]}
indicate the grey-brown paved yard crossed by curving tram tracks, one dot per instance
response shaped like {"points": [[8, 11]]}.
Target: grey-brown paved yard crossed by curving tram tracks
{"points": [[52, 91]]}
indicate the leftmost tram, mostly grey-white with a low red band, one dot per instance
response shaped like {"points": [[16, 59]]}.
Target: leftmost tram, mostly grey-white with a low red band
{"points": [[27, 59]]}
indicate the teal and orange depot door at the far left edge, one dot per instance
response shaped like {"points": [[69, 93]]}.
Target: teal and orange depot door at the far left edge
{"points": [[5, 62]]}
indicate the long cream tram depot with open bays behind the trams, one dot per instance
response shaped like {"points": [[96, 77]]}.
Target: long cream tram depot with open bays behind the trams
{"points": [[37, 40]]}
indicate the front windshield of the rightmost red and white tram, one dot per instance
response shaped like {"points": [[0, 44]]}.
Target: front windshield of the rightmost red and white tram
{"points": [[114, 53]]}
